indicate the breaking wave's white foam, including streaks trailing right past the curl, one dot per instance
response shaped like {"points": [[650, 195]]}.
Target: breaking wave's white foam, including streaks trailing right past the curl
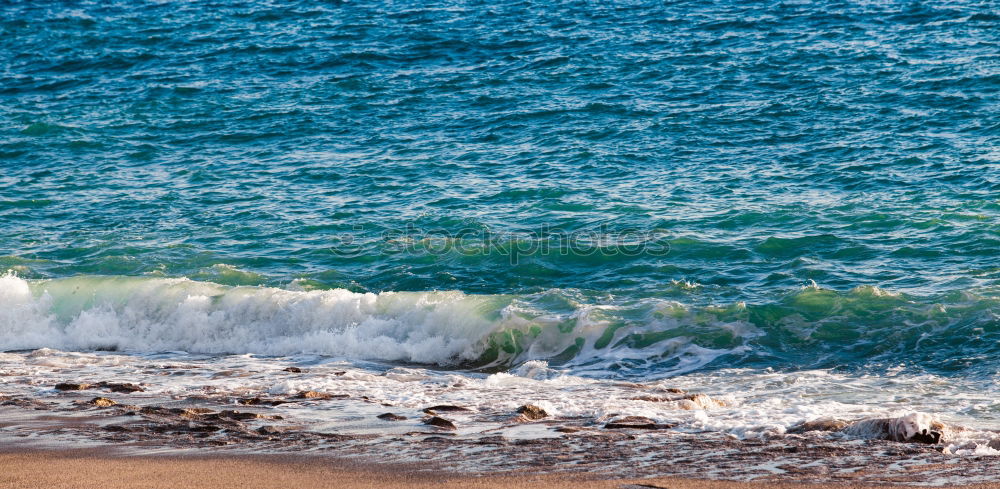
{"points": [[439, 327]]}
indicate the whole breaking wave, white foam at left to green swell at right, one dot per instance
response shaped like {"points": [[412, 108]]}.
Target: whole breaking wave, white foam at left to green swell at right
{"points": [[810, 327]]}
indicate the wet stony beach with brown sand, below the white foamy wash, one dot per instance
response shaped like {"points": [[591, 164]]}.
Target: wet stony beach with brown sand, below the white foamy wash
{"points": [[65, 440]]}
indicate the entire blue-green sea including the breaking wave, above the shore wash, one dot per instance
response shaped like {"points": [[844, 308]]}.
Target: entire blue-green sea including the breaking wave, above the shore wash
{"points": [[631, 188]]}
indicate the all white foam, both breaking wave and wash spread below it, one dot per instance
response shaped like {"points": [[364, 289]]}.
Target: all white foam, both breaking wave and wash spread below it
{"points": [[338, 330]]}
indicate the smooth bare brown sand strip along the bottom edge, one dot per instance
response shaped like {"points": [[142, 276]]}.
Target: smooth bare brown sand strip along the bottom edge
{"points": [[91, 468]]}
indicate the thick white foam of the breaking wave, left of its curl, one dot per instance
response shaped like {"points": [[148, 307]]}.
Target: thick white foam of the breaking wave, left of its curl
{"points": [[179, 314]]}
